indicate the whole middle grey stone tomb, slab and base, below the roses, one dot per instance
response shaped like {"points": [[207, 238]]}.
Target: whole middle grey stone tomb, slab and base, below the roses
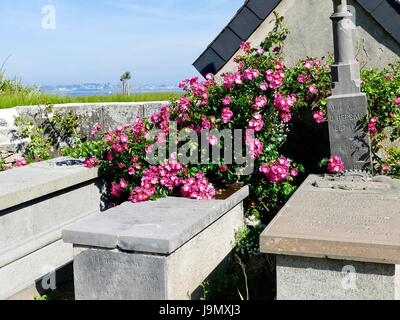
{"points": [[154, 250]]}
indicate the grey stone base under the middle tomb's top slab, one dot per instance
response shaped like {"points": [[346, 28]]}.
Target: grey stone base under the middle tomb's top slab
{"points": [[111, 274]]}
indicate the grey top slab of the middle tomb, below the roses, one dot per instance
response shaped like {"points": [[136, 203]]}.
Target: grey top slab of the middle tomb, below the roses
{"points": [[159, 227]]}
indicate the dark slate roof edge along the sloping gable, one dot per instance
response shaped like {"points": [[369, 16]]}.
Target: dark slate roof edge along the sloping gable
{"points": [[252, 14]]}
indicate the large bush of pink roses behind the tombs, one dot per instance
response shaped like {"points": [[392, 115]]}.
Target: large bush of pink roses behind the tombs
{"points": [[264, 95]]}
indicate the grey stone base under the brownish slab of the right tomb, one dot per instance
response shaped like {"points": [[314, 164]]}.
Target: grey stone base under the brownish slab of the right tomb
{"points": [[303, 278]]}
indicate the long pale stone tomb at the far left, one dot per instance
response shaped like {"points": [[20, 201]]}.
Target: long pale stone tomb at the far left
{"points": [[36, 203]]}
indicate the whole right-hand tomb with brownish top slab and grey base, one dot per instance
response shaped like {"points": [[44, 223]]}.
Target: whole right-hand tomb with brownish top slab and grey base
{"points": [[350, 233]]}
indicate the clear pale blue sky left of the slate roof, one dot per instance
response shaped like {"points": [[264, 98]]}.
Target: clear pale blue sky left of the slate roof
{"points": [[50, 42]]}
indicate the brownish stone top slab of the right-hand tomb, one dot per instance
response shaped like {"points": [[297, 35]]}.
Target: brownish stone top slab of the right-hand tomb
{"points": [[345, 220]]}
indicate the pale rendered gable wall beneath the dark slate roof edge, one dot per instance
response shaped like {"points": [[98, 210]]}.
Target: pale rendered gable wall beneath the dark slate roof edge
{"points": [[311, 33]]}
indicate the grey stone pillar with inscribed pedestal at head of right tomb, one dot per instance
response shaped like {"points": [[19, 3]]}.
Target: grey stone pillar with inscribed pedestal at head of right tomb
{"points": [[347, 106]]}
